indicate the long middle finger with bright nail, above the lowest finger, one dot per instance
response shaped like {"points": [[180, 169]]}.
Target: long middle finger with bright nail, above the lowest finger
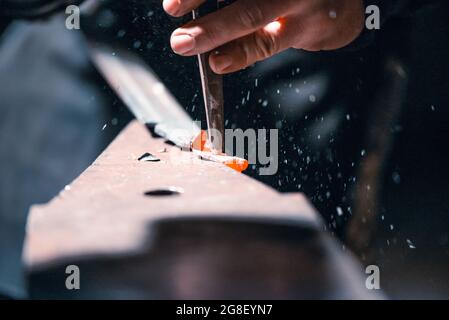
{"points": [[232, 22]]}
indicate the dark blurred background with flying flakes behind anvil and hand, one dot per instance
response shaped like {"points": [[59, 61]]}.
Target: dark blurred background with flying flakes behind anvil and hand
{"points": [[363, 130]]}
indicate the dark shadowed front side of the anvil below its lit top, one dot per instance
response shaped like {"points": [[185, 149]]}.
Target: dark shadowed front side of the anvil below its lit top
{"points": [[211, 259]]}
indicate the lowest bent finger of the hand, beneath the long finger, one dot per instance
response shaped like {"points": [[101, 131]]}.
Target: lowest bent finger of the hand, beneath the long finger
{"points": [[243, 52]]}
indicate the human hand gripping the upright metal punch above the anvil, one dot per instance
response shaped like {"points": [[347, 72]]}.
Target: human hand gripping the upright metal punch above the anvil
{"points": [[248, 31]]}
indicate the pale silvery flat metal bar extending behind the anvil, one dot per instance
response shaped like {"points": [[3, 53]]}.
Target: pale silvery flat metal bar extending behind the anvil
{"points": [[144, 94]]}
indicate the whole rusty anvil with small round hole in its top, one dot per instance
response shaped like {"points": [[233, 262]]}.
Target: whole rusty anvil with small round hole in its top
{"points": [[225, 236]]}
